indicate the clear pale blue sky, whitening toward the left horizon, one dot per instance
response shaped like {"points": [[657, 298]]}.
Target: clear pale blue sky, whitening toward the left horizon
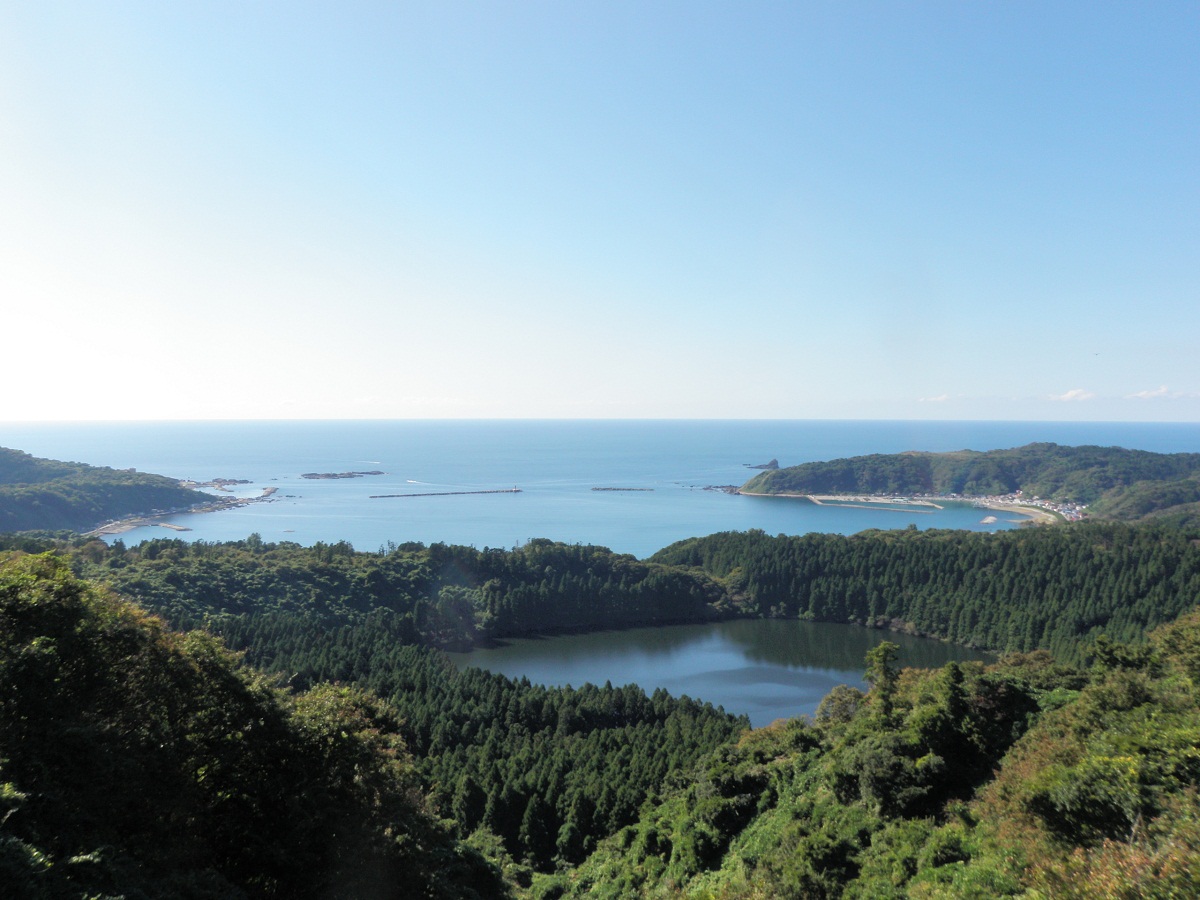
{"points": [[761, 211]]}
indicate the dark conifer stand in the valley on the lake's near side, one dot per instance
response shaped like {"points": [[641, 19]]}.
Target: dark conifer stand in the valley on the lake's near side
{"points": [[549, 771]]}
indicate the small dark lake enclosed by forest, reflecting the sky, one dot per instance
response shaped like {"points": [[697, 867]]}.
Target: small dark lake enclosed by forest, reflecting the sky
{"points": [[766, 669]]}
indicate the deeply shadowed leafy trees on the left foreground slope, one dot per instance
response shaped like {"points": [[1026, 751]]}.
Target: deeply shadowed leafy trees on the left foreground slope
{"points": [[137, 763]]}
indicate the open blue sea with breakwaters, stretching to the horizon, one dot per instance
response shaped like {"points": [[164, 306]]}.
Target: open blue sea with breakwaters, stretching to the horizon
{"points": [[554, 464]]}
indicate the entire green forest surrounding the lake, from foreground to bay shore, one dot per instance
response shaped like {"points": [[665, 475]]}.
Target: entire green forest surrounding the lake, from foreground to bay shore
{"points": [[1066, 766]]}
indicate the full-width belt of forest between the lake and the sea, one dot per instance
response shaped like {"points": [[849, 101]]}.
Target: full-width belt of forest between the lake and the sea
{"points": [[1051, 589]]}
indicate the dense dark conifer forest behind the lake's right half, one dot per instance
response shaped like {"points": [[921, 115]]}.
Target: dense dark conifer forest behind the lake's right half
{"points": [[1051, 589]]}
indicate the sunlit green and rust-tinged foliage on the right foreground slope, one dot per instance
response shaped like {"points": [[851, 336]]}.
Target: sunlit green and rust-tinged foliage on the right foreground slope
{"points": [[893, 795]]}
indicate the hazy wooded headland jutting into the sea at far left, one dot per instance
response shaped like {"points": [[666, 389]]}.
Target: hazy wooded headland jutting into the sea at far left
{"points": [[50, 495]]}
